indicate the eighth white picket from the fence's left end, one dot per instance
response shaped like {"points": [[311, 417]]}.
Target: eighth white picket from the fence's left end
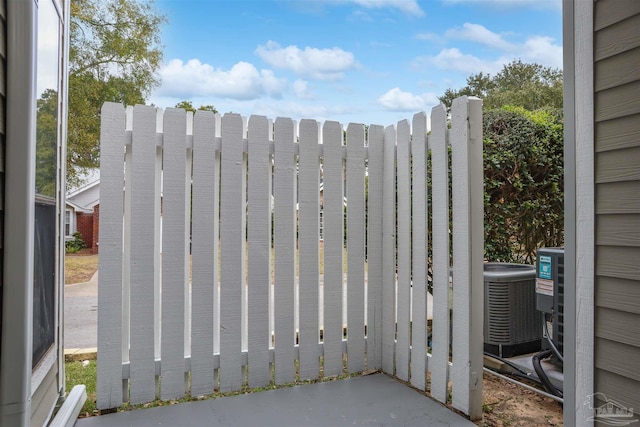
{"points": [[309, 185]]}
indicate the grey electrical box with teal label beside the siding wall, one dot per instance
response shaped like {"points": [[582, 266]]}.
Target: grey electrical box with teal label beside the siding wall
{"points": [[550, 290]]}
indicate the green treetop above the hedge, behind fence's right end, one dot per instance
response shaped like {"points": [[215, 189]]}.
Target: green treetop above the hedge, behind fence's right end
{"points": [[530, 86]]}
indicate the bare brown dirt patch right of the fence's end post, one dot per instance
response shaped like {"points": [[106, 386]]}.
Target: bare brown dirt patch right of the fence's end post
{"points": [[508, 405]]}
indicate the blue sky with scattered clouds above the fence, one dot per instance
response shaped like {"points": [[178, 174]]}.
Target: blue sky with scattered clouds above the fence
{"points": [[364, 61]]}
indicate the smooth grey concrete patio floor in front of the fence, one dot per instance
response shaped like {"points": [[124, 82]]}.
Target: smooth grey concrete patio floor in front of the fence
{"points": [[375, 400]]}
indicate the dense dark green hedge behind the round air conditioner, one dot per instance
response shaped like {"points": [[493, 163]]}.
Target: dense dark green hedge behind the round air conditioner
{"points": [[523, 178]]}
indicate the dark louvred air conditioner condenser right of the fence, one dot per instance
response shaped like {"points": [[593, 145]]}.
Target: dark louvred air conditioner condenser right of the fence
{"points": [[512, 325]]}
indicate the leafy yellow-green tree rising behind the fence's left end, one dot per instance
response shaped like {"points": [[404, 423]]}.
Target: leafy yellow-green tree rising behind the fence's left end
{"points": [[114, 55]]}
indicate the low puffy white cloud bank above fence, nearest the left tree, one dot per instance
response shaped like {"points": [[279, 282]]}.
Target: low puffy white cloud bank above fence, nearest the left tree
{"points": [[242, 81]]}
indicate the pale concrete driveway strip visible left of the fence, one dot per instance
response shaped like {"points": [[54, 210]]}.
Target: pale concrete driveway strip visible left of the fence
{"points": [[81, 314]]}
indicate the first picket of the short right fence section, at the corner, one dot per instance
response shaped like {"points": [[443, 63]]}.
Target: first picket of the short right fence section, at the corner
{"points": [[389, 251]]}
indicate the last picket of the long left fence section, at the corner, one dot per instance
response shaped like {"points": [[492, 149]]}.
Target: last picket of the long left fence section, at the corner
{"points": [[374, 247]]}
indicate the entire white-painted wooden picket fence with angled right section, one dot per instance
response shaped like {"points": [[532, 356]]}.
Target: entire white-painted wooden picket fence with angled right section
{"points": [[258, 302]]}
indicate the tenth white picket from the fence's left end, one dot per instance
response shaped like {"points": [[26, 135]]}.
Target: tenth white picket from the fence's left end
{"points": [[355, 247]]}
